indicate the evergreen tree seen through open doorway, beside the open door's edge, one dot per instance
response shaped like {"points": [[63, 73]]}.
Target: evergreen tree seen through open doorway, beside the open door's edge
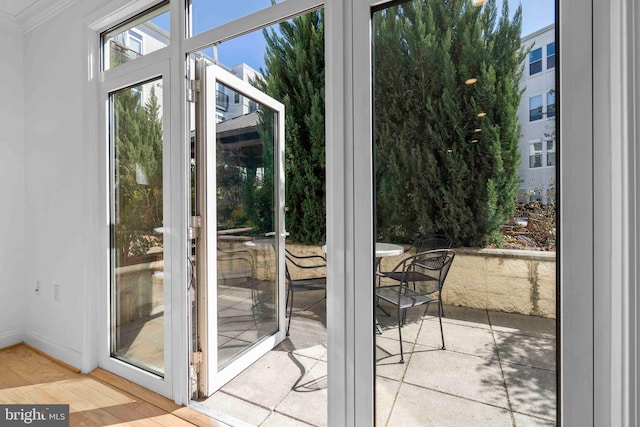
{"points": [[294, 75]]}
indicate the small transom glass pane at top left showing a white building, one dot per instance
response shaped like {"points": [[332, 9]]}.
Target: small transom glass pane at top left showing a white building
{"points": [[135, 38]]}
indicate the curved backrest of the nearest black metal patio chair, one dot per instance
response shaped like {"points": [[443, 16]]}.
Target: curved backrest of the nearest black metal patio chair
{"points": [[426, 271]]}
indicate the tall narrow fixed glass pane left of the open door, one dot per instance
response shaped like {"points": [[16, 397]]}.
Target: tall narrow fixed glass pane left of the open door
{"points": [[137, 254]]}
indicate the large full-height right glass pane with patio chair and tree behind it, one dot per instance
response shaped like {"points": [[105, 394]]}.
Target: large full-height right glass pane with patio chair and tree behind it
{"points": [[482, 338]]}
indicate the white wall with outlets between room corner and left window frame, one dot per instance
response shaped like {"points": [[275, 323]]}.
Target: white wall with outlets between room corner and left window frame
{"points": [[59, 183]]}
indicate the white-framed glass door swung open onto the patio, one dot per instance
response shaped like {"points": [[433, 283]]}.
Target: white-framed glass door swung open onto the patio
{"points": [[240, 198]]}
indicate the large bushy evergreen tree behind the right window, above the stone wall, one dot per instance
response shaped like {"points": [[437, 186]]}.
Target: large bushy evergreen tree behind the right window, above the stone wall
{"points": [[431, 177]]}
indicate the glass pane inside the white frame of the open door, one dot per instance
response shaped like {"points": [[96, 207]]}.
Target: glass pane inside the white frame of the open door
{"points": [[247, 285]]}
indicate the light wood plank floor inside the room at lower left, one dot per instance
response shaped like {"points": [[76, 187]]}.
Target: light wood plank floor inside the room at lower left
{"points": [[98, 399]]}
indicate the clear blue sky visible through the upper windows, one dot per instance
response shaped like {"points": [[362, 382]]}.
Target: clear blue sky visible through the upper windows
{"points": [[250, 48]]}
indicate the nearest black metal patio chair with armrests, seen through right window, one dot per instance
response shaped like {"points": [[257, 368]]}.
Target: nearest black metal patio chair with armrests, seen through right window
{"points": [[421, 278]]}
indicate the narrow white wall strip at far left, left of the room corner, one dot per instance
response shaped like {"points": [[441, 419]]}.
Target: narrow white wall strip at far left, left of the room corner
{"points": [[13, 285]]}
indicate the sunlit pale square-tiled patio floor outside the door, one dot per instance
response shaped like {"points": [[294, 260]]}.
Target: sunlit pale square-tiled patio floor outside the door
{"points": [[497, 370]]}
